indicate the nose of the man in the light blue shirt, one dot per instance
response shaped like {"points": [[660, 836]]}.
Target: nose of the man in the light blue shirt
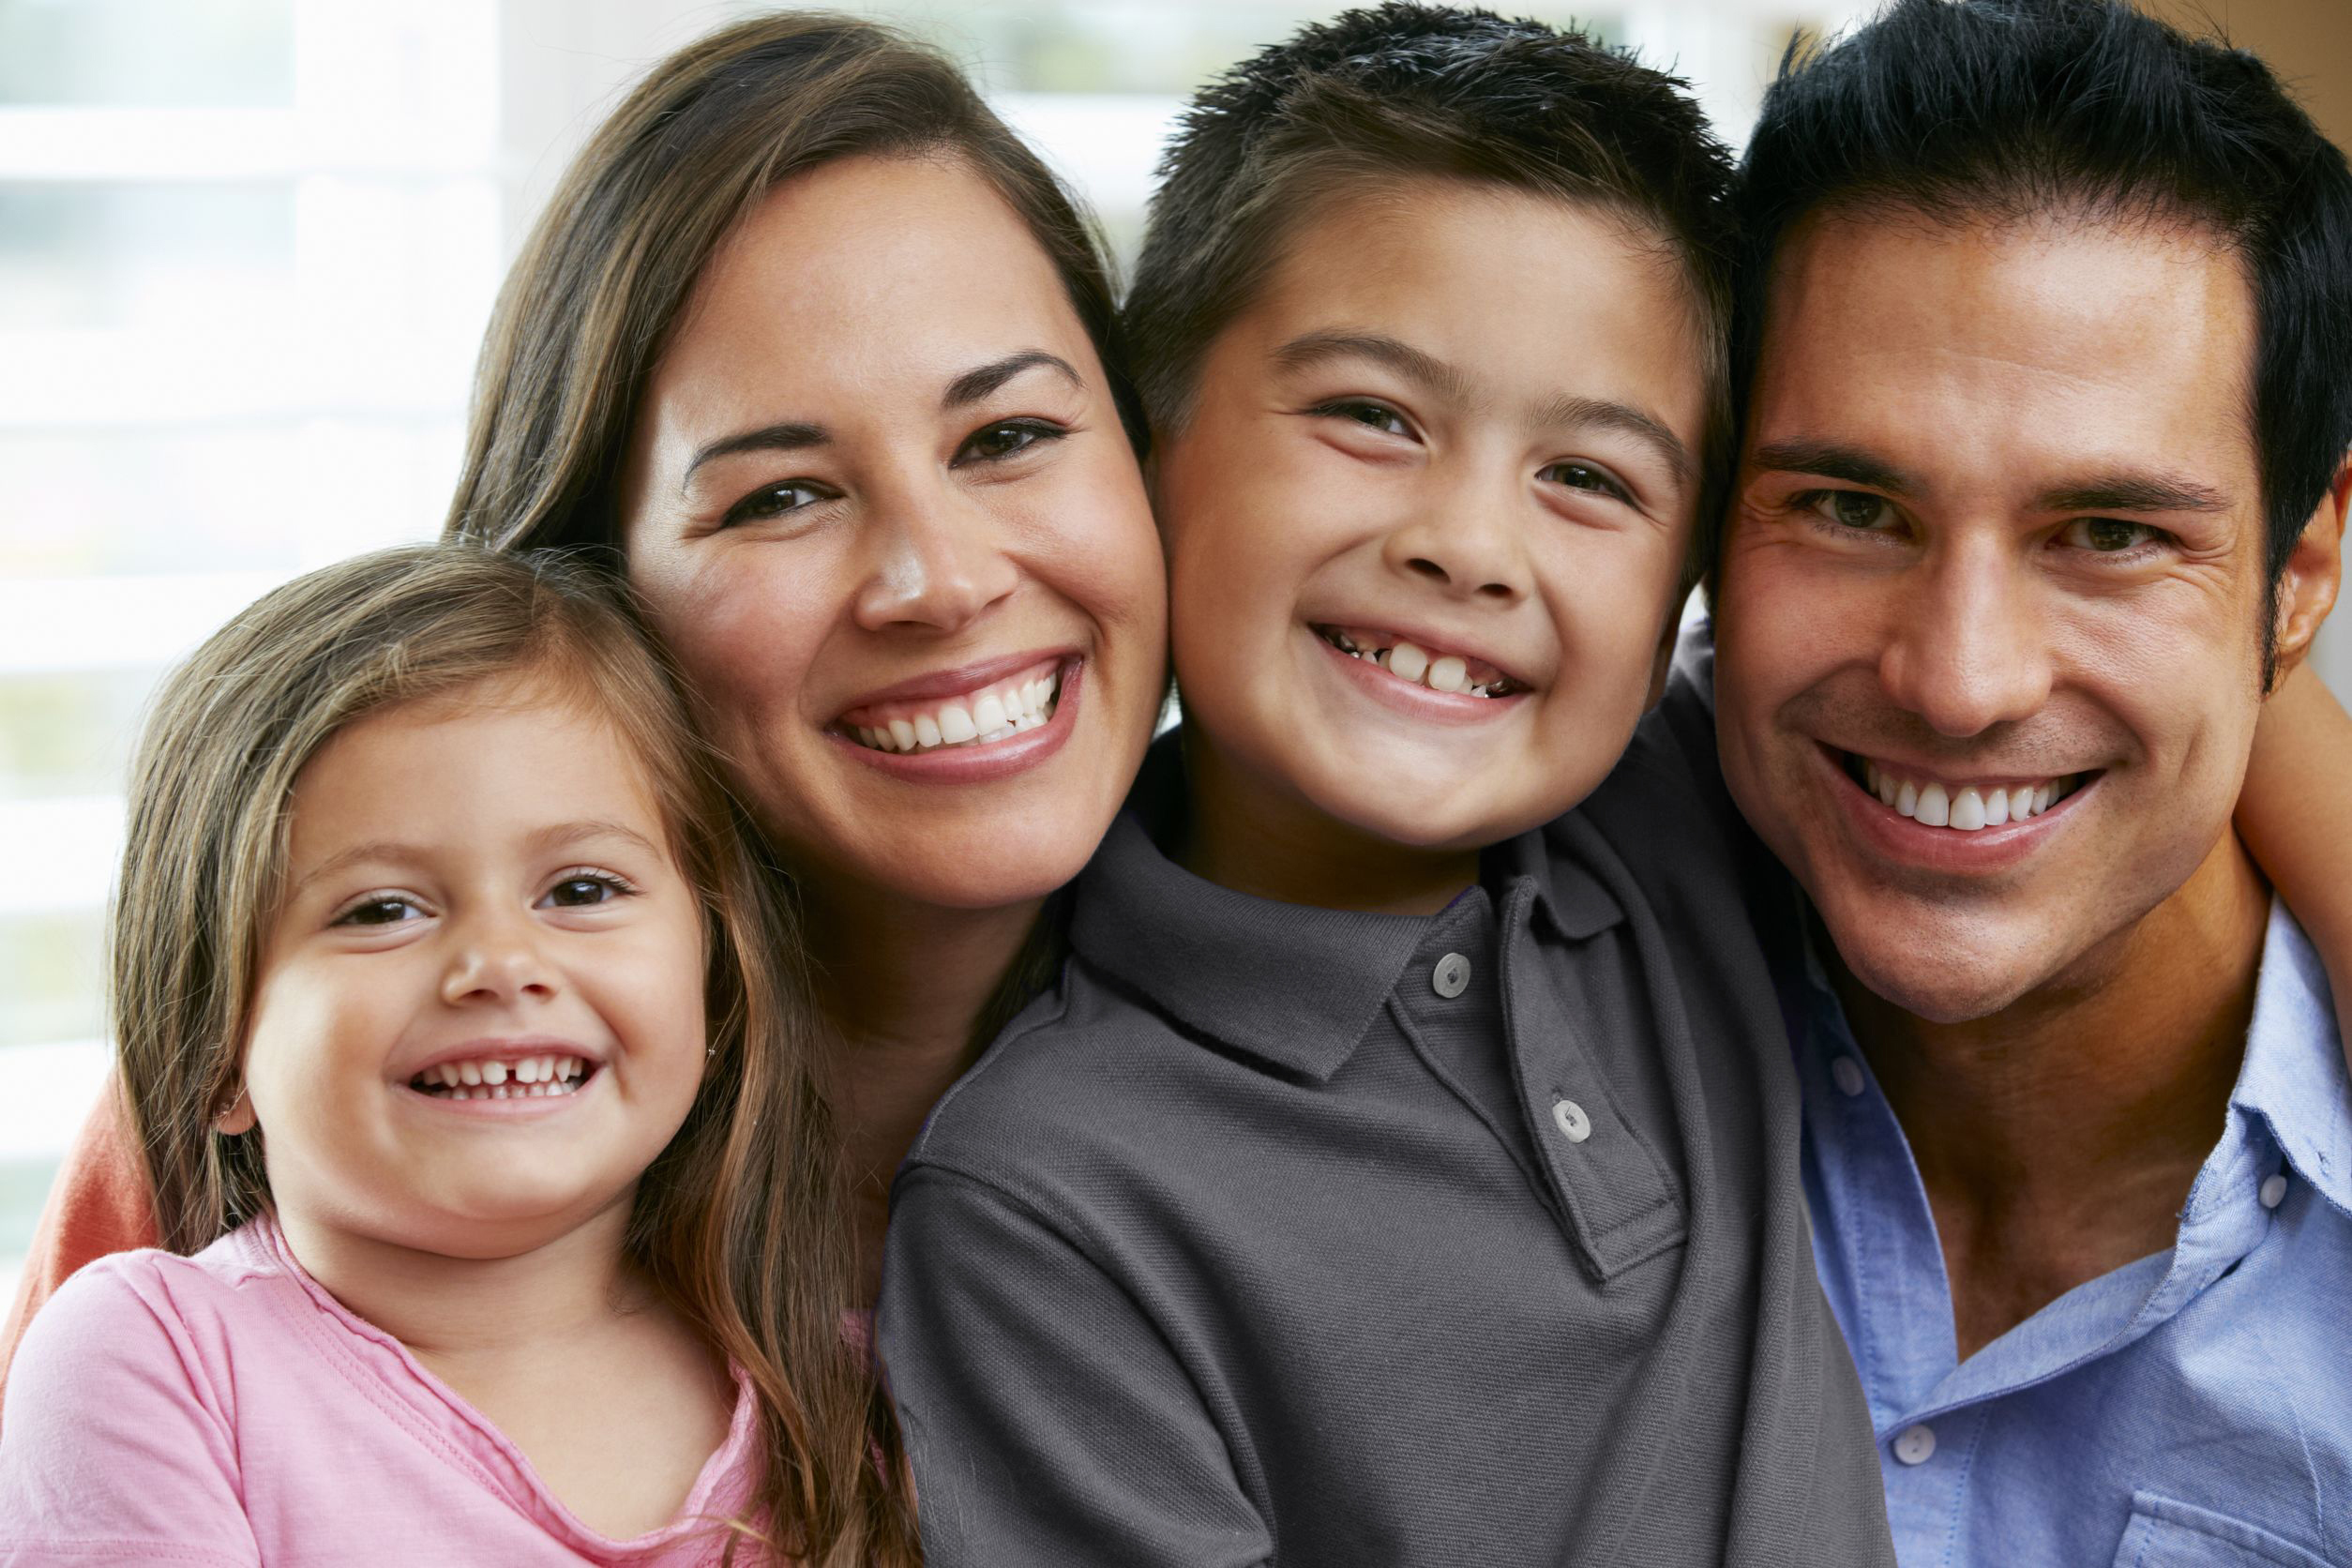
{"points": [[1970, 648]]}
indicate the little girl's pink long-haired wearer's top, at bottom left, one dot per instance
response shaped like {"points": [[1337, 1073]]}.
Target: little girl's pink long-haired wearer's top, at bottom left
{"points": [[225, 1409]]}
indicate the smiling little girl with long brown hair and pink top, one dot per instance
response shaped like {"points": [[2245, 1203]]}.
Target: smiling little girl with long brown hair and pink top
{"points": [[502, 1209]]}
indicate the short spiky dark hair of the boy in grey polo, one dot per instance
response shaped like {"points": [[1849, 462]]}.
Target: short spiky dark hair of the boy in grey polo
{"points": [[1412, 91]]}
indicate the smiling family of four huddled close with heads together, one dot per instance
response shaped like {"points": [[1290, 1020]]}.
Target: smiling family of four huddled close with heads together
{"points": [[695, 1021]]}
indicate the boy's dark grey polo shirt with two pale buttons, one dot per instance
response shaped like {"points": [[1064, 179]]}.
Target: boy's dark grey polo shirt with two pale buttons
{"points": [[1314, 1238]]}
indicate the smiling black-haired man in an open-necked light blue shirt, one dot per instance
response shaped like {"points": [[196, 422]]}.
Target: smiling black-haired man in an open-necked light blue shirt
{"points": [[2040, 497]]}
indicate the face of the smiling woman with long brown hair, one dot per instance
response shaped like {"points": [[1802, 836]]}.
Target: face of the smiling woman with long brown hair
{"points": [[883, 511]]}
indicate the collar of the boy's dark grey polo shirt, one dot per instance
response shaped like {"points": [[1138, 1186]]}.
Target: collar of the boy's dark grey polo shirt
{"points": [[1292, 986]]}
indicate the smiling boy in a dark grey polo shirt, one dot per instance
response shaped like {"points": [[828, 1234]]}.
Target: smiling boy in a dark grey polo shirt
{"points": [[1398, 1172]]}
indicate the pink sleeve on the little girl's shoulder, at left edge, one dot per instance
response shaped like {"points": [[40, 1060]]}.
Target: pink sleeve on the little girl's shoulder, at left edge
{"points": [[116, 1447]]}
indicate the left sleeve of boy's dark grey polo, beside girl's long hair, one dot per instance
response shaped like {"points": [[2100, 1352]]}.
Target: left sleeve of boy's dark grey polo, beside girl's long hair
{"points": [[1045, 1414]]}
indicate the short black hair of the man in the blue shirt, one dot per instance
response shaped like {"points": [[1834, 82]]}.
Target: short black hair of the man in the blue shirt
{"points": [[2017, 109]]}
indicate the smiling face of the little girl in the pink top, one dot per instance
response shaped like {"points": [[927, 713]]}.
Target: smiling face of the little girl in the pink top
{"points": [[481, 1010]]}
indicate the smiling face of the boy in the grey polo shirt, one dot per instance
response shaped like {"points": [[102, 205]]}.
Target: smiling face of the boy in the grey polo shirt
{"points": [[1429, 514]]}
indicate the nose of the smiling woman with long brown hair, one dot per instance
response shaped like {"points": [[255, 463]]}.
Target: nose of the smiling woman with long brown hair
{"points": [[937, 561]]}
